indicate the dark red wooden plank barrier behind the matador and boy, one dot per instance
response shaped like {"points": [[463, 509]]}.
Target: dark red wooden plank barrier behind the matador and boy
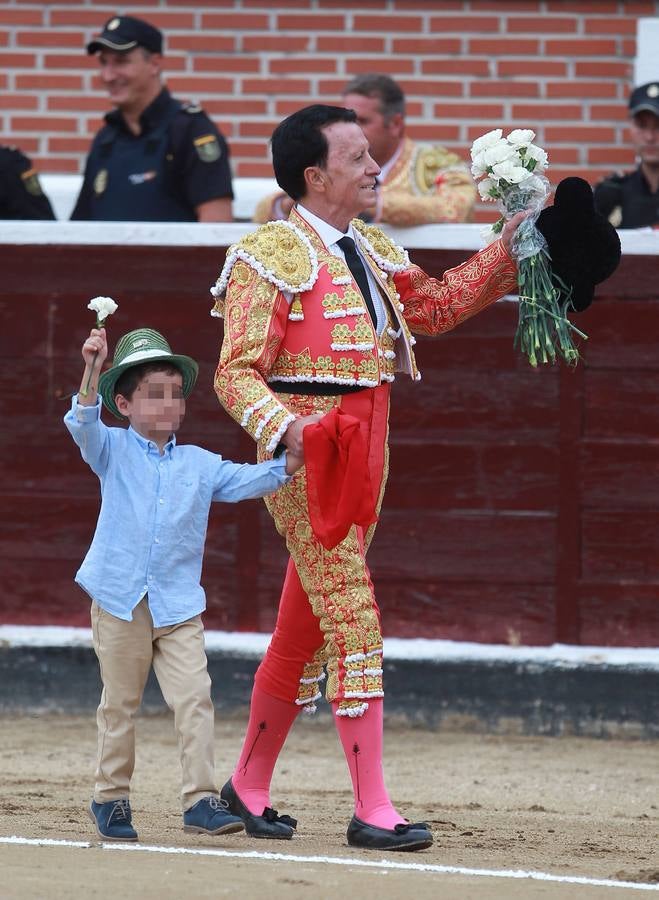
{"points": [[522, 505]]}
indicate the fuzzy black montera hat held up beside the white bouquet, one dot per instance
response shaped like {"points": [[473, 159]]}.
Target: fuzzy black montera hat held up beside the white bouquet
{"points": [[583, 245]]}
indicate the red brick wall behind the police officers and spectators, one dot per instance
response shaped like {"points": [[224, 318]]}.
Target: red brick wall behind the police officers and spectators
{"points": [[563, 69]]}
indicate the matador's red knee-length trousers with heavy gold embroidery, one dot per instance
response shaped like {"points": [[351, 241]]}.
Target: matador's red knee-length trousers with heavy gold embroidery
{"points": [[328, 616]]}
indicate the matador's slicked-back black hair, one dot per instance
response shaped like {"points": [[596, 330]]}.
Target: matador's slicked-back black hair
{"points": [[298, 142]]}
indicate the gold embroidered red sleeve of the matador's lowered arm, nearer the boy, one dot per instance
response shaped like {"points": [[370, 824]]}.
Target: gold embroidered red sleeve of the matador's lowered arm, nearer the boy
{"points": [[254, 323]]}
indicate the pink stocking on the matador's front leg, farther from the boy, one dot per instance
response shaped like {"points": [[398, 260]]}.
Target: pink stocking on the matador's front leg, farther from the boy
{"points": [[361, 738]]}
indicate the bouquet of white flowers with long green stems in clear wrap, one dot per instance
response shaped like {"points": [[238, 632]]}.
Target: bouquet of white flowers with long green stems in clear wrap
{"points": [[509, 172]]}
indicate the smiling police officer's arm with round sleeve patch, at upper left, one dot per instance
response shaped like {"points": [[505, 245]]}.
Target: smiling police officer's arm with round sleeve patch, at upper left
{"points": [[201, 159]]}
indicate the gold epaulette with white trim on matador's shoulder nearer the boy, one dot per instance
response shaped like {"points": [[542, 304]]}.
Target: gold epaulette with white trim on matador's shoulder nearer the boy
{"points": [[279, 252]]}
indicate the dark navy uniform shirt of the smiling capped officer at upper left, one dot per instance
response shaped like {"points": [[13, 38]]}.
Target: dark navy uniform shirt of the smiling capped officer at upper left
{"points": [[178, 161]]}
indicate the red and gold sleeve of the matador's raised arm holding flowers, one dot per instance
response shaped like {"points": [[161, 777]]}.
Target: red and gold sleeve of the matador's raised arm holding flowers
{"points": [[431, 306]]}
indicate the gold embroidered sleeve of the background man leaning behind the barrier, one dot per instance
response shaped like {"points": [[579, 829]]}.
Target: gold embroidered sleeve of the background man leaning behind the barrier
{"points": [[452, 200]]}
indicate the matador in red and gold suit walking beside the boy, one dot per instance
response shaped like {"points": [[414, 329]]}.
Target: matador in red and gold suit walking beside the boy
{"points": [[301, 336]]}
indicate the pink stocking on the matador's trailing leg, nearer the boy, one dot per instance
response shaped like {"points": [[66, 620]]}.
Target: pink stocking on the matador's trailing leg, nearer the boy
{"points": [[270, 720]]}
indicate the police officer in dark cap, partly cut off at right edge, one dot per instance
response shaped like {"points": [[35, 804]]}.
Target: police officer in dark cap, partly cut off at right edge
{"points": [[632, 200]]}
